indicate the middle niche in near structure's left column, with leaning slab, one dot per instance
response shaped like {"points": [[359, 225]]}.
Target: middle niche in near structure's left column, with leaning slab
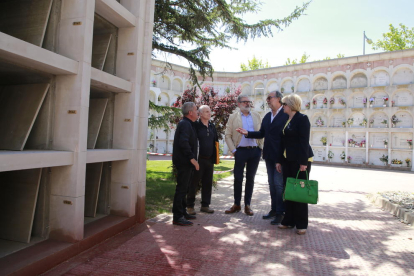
{"points": [[19, 107]]}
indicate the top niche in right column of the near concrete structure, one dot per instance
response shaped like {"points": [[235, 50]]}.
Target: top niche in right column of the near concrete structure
{"points": [[104, 45]]}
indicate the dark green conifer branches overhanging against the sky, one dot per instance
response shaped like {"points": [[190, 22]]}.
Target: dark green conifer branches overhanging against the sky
{"points": [[192, 28]]}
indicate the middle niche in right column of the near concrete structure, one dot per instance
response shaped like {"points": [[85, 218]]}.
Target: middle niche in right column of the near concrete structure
{"points": [[101, 120]]}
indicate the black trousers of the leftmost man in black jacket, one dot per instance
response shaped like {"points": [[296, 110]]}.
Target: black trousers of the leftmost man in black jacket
{"points": [[184, 178]]}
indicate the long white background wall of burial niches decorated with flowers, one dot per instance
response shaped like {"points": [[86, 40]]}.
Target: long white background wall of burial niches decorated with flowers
{"points": [[347, 81]]}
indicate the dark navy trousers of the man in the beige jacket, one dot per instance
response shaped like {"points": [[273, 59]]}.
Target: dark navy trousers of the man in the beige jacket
{"points": [[249, 158]]}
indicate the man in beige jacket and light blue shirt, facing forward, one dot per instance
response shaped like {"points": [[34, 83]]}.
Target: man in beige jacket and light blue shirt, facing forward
{"points": [[246, 152]]}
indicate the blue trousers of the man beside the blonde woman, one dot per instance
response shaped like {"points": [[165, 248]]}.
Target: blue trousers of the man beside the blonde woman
{"points": [[276, 187]]}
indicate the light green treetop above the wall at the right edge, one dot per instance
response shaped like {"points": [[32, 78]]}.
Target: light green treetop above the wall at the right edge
{"points": [[396, 39]]}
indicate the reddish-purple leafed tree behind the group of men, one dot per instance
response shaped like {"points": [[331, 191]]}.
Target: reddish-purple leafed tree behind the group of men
{"points": [[221, 105]]}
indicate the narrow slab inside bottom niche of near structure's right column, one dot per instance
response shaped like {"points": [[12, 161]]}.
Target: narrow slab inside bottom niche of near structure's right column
{"points": [[92, 185]]}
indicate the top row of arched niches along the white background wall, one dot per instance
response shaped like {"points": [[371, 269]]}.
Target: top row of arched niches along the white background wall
{"points": [[401, 75]]}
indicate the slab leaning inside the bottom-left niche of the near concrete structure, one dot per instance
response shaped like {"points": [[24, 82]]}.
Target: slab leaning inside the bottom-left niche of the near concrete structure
{"points": [[18, 196]]}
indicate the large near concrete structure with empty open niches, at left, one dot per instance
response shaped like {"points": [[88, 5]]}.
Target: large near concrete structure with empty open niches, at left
{"points": [[74, 96]]}
